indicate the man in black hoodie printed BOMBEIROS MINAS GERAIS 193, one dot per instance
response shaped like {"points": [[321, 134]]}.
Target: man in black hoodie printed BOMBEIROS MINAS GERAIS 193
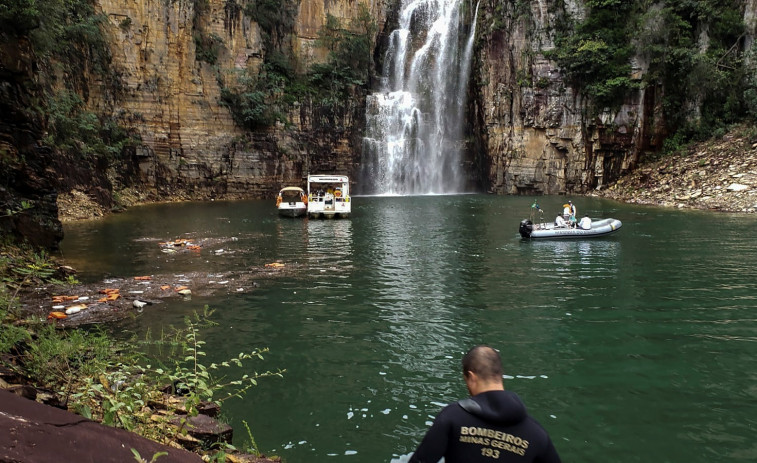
{"points": [[491, 426]]}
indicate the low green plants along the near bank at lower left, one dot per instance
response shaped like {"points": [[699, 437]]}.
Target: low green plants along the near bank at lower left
{"points": [[109, 381]]}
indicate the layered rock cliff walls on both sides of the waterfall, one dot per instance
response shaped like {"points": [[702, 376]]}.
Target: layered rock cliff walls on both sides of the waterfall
{"points": [[528, 132]]}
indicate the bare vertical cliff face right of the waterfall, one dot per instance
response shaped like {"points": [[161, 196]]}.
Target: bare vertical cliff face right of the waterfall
{"points": [[535, 136]]}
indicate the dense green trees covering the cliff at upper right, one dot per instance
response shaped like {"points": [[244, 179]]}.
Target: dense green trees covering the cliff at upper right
{"points": [[694, 56]]}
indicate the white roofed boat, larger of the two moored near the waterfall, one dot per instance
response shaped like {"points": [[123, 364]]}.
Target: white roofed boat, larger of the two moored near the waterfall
{"points": [[329, 196]]}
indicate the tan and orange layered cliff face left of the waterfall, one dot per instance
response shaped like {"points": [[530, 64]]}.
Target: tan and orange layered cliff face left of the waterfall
{"points": [[190, 144]]}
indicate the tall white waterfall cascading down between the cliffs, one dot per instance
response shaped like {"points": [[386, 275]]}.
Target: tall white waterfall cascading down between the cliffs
{"points": [[414, 128]]}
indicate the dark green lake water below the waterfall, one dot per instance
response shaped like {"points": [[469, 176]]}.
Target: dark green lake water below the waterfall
{"points": [[638, 347]]}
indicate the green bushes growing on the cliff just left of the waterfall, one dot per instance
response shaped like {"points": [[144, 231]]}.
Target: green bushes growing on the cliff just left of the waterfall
{"points": [[257, 101]]}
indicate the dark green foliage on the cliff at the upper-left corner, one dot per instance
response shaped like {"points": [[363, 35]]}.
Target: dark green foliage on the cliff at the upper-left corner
{"points": [[67, 36]]}
